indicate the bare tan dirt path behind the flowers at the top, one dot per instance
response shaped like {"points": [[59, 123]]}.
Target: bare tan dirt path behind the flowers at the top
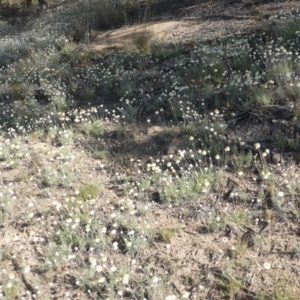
{"points": [[201, 19]]}
